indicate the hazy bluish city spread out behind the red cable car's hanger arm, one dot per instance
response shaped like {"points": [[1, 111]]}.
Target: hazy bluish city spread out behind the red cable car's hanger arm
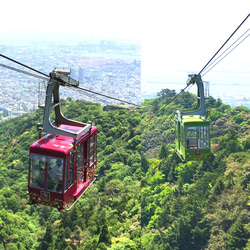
{"points": [[114, 73]]}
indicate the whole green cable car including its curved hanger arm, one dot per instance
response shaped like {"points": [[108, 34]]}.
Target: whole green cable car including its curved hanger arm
{"points": [[192, 141]]}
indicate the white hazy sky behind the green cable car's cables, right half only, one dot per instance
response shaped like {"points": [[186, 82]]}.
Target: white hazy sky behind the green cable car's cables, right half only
{"points": [[184, 35]]}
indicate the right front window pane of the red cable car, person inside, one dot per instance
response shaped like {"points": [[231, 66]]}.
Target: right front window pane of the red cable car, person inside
{"points": [[54, 174]]}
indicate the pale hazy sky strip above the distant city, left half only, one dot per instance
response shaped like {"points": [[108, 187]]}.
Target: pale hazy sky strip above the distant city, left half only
{"points": [[109, 18]]}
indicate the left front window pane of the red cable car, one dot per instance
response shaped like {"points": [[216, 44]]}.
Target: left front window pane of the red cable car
{"points": [[37, 171]]}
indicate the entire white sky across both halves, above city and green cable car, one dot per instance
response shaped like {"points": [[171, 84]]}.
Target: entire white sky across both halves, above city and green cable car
{"points": [[177, 37]]}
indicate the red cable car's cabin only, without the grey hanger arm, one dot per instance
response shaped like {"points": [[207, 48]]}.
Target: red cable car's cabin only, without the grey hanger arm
{"points": [[60, 172]]}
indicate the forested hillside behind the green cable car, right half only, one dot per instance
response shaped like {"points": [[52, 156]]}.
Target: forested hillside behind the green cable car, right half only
{"points": [[195, 205]]}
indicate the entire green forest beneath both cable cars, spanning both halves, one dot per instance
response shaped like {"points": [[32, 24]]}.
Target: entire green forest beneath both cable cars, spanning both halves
{"points": [[146, 198]]}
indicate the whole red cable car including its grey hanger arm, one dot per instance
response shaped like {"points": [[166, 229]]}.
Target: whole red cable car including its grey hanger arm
{"points": [[62, 163]]}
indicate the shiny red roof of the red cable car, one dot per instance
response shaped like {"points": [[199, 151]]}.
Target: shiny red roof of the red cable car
{"points": [[62, 145]]}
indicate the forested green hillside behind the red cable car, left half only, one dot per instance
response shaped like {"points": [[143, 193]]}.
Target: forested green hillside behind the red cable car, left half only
{"points": [[107, 216]]}
